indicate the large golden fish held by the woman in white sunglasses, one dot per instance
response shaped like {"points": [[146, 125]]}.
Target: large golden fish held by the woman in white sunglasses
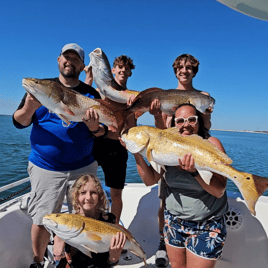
{"points": [[165, 147]]}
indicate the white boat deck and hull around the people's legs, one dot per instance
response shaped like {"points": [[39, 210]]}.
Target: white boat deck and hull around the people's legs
{"points": [[246, 244]]}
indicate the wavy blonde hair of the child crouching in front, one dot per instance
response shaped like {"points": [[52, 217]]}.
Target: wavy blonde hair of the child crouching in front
{"points": [[103, 204]]}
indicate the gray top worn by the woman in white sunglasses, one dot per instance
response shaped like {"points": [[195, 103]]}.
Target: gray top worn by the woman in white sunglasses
{"points": [[188, 200]]}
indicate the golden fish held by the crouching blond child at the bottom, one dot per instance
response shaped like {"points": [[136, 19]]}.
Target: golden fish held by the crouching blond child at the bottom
{"points": [[89, 235]]}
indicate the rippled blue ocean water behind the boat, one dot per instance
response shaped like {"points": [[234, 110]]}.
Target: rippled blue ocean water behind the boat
{"points": [[249, 152]]}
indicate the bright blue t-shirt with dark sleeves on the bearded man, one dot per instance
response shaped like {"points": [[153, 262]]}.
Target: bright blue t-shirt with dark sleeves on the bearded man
{"points": [[58, 147]]}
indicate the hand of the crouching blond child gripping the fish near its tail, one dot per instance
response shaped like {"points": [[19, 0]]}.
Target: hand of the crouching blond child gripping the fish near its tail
{"points": [[117, 243]]}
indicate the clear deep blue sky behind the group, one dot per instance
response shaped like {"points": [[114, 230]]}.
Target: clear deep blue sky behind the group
{"points": [[231, 48]]}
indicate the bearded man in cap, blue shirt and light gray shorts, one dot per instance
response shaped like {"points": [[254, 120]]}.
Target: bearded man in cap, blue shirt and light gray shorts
{"points": [[59, 153]]}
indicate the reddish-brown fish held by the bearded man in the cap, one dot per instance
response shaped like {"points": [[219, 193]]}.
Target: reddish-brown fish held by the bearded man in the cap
{"points": [[70, 105]]}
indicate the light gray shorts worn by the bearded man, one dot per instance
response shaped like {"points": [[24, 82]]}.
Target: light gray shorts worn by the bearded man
{"points": [[50, 187]]}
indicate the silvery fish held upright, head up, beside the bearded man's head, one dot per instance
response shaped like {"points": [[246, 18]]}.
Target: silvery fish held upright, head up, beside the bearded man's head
{"points": [[104, 78]]}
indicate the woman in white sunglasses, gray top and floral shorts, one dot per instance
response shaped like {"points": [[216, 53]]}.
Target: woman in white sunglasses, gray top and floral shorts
{"points": [[194, 229]]}
